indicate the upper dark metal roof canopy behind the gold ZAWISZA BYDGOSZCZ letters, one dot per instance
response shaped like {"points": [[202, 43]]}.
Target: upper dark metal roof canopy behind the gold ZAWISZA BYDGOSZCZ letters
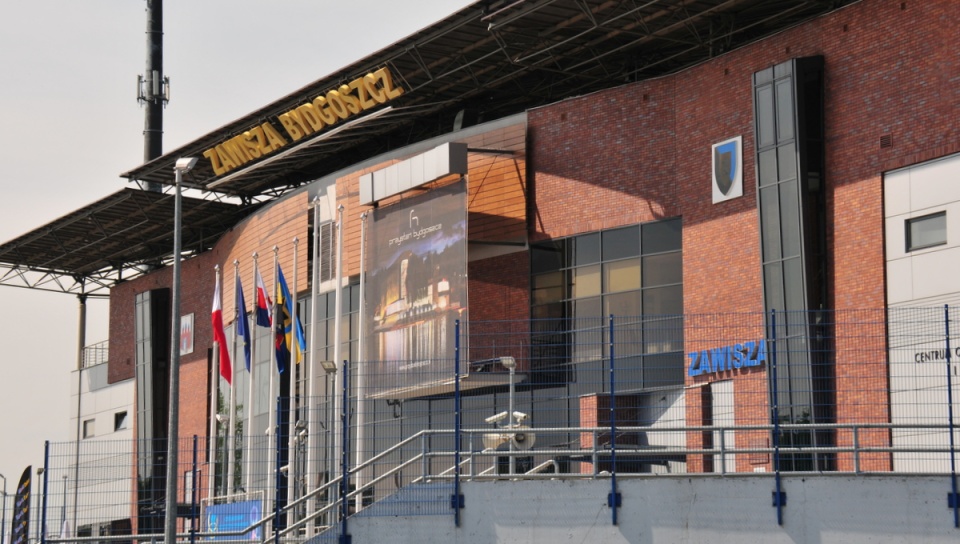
{"points": [[491, 59]]}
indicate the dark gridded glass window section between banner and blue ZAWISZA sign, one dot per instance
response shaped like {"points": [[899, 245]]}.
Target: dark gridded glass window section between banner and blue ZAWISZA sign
{"points": [[634, 274]]}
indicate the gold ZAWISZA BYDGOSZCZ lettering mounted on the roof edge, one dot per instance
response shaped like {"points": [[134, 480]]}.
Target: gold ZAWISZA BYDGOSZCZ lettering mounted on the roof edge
{"points": [[323, 111]]}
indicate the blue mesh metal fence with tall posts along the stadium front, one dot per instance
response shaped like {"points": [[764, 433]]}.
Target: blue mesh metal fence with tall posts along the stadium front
{"points": [[735, 394]]}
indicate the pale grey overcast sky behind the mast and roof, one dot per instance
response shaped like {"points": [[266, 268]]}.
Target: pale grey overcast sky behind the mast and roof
{"points": [[70, 124]]}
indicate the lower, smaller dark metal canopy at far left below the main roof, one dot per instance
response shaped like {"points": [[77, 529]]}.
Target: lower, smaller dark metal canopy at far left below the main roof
{"points": [[119, 237]]}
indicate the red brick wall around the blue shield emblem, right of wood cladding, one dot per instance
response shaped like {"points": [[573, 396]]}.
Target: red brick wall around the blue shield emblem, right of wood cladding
{"points": [[642, 151]]}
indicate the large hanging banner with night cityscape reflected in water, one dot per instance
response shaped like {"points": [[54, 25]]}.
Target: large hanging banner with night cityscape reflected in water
{"points": [[416, 289]]}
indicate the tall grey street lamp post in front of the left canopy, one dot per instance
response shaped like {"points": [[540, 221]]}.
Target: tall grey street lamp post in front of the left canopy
{"points": [[182, 166]]}
